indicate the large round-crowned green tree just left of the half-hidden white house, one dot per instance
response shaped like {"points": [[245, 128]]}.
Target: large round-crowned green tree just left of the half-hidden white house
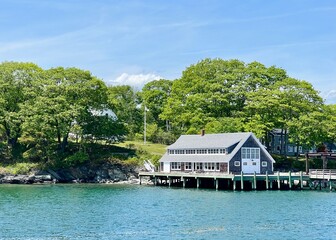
{"points": [[63, 97]]}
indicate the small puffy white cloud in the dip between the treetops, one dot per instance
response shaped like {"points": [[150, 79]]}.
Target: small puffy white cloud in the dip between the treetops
{"points": [[135, 80]]}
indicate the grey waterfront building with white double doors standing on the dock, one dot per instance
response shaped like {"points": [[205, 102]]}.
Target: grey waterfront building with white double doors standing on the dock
{"points": [[217, 153]]}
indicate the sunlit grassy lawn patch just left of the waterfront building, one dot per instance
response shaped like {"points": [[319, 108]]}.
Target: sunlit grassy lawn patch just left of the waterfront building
{"points": [[152, 148]]}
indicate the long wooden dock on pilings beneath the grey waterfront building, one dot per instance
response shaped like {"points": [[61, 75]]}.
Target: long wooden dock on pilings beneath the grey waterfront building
{"points": [[317, 179]]}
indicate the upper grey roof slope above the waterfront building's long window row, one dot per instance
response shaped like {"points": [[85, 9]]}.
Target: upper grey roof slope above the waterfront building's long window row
{"points": [[222, 140]]}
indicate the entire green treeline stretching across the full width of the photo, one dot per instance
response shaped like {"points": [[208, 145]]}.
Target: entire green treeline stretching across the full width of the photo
{"points": [[40, 110]]}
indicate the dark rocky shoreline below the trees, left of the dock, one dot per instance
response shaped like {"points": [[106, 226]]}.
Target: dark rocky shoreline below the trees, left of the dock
{"points": [[106, 173]]}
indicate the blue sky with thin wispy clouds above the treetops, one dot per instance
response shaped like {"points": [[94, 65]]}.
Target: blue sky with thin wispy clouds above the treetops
{"points": [[133, 42]]}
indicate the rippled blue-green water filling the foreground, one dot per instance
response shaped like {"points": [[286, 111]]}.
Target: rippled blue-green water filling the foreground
{"points": [[146, 212]]}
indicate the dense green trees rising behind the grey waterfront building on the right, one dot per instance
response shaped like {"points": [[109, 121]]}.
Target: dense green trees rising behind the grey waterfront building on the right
{"points": [[230, 96]]}
